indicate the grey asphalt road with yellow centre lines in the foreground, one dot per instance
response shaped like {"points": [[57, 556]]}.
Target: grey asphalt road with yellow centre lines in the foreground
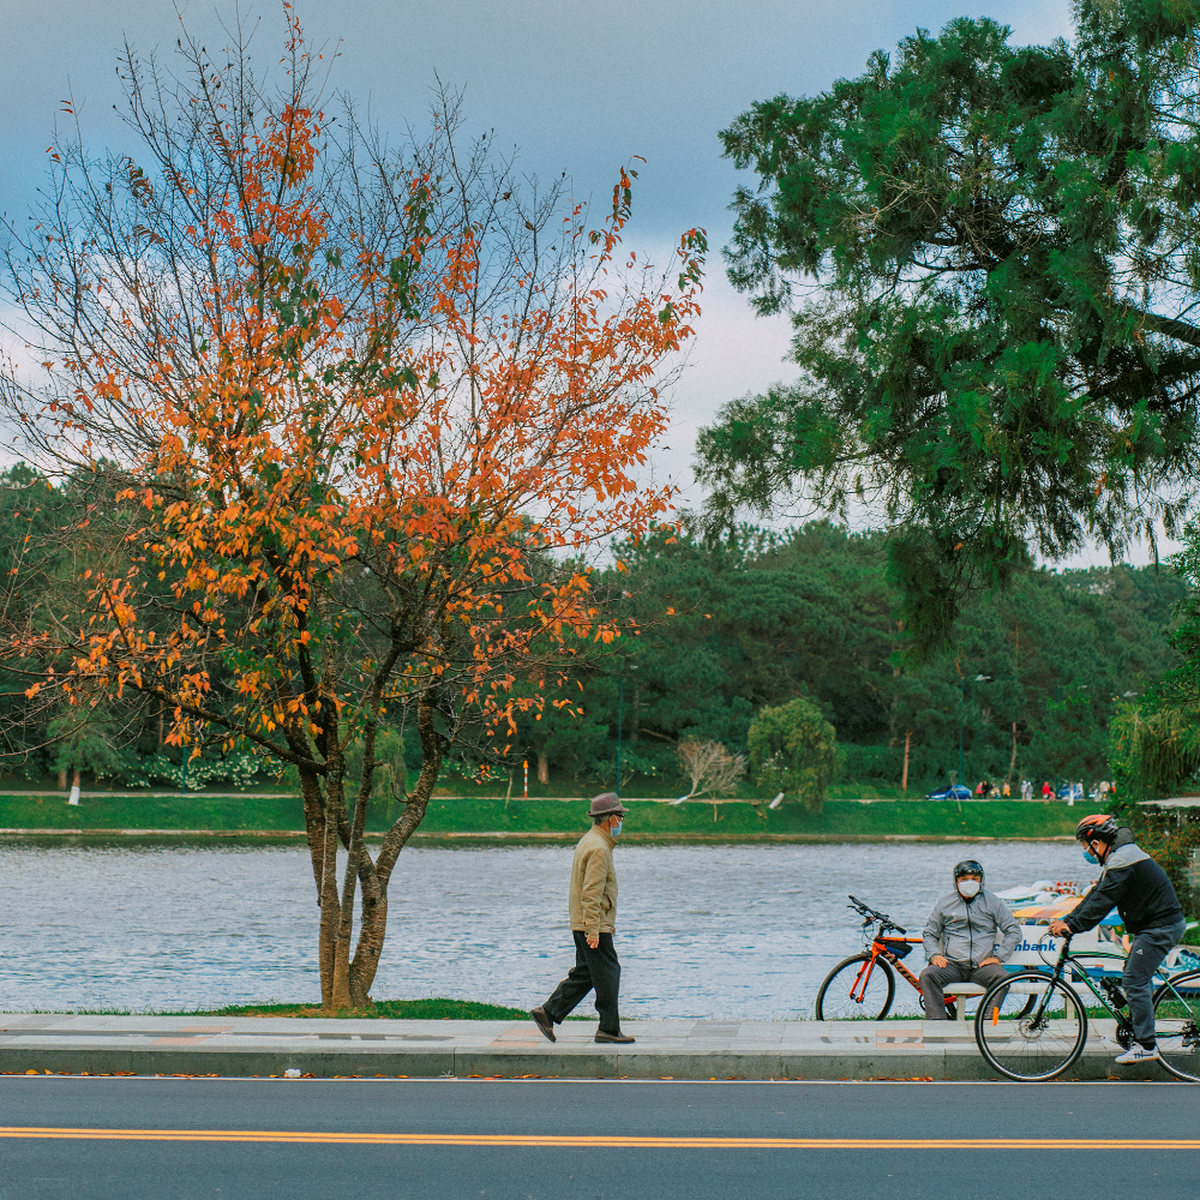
{"points": [[177, 1139]]}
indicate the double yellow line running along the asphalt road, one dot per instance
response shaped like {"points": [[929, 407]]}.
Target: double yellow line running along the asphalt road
{"points": [[590, 1142]]}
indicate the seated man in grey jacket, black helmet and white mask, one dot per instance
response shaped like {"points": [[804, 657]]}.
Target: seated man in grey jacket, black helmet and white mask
{"points": [[968, 937]]}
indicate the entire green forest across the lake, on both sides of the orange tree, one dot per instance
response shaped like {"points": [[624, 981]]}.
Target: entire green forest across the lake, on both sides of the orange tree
{"points": [[719, 632]]}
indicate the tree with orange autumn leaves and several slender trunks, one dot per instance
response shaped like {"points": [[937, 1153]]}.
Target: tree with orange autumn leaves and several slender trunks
{"points": [[367, 415]]}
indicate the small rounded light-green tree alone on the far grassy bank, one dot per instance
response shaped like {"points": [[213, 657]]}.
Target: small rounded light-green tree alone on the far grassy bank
{"points": [[795, 748]]}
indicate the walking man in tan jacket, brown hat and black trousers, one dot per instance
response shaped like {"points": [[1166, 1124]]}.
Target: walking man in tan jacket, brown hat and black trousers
{"points": [[593, 913]]}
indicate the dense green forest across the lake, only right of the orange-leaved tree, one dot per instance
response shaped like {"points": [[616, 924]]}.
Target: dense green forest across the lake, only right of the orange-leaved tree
{"points": [[760, 619]]}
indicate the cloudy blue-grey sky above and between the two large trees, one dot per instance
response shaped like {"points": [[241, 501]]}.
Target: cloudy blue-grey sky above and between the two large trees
{"points": [[574, 87]]}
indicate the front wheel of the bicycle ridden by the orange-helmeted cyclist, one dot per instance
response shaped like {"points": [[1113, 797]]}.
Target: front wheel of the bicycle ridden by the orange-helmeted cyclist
{"points": [[1031, 1042]]}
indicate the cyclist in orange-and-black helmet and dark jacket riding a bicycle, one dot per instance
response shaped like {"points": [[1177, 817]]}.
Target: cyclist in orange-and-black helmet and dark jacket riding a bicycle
{"points": [[1143, 895]]}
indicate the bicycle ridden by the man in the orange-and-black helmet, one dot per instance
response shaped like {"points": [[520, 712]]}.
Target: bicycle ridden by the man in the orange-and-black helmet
{"points": [[1033, 1025]]}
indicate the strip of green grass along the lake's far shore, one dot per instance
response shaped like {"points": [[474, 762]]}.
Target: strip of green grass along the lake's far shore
{"points": [[459, 820]]}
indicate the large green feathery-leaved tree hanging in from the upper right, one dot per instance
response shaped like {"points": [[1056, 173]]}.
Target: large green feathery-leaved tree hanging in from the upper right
{"points": [[1000, 353]]}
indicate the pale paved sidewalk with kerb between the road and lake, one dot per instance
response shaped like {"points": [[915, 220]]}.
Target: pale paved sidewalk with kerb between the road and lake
{"points": [[677, 1049]]}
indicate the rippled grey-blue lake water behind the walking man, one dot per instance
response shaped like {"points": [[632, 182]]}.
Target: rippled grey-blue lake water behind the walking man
{"points": [[716, 932]]}
